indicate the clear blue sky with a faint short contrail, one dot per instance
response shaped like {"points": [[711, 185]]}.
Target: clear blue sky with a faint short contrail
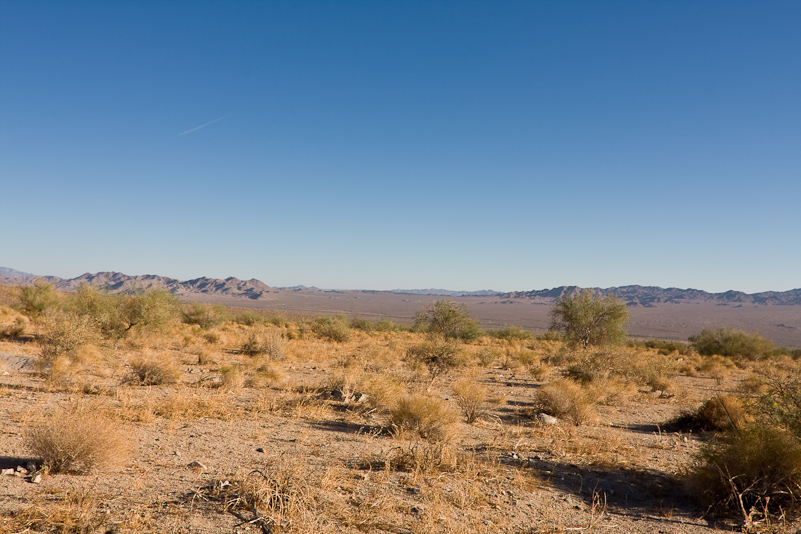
{"points": [[389, 144]]}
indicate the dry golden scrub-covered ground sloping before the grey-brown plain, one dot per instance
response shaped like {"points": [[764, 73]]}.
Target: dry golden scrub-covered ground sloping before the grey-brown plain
{"points": [[379, 419]]}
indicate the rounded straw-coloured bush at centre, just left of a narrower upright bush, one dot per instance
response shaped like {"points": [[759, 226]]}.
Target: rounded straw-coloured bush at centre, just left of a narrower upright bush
{"points": [[429, 417]]}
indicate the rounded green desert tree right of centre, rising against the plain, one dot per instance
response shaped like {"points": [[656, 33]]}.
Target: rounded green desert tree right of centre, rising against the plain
{"points": [[588, 318]]}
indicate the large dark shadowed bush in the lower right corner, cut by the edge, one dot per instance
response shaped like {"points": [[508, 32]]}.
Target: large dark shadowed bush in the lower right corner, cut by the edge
{"points": [[755, 471]]}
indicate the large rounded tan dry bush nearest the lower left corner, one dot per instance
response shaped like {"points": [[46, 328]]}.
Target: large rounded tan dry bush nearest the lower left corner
{"points": [[78, 441]]}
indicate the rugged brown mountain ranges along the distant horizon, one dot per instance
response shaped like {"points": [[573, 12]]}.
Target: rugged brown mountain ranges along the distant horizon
{"points": [[253, 289]]}
